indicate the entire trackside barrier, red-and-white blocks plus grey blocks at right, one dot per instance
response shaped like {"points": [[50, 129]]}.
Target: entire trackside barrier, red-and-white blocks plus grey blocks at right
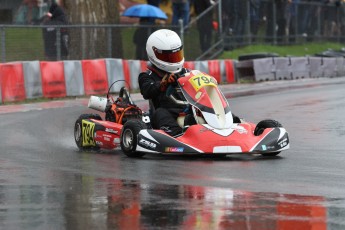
{"points": [[36, 79]]}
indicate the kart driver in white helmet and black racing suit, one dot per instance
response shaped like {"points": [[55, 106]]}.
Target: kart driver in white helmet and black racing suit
{"points": [[165, 53]]}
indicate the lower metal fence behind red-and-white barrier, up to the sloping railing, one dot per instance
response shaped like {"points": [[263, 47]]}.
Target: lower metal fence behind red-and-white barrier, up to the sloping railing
{"points": [[39, 41]]}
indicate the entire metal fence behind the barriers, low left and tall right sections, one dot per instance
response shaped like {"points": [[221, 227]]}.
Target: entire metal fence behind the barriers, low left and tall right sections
{"points": [[233, 24]]}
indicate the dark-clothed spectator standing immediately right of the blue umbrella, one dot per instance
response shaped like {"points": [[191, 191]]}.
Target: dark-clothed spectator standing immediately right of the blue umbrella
{"points": [[180, 10]]}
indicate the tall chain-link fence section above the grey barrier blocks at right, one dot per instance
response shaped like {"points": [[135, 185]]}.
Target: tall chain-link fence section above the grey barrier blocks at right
{"points": [[282, 22]]}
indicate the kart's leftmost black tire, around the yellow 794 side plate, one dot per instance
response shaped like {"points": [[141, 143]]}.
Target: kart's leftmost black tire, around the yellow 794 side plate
{"points": [[78, 135]]}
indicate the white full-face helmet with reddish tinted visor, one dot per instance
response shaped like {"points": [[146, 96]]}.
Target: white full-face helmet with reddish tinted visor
{"points": [[165, 50]]}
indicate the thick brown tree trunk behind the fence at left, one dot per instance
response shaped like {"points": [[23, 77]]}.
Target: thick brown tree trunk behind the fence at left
{"points": [[92, 41]]}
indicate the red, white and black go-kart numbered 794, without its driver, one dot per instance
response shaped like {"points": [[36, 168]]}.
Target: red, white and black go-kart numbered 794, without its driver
{"points": [[214, 130]]}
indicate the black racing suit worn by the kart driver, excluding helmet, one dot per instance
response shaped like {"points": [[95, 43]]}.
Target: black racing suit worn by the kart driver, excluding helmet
{"points": [[165, 112]]}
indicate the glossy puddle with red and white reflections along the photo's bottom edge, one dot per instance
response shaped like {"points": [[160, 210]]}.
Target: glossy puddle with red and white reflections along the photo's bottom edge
{"points": [[117, 204]]}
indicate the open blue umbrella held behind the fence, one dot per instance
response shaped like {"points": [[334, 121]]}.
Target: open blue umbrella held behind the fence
{"points": [[144, 11]]}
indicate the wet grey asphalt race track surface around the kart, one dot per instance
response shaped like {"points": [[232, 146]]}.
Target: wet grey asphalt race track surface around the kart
{"points": [[46, 183]]}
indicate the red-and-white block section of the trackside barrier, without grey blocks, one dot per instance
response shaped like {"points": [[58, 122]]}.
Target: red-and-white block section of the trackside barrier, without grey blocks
{"points": [[57, 79]]}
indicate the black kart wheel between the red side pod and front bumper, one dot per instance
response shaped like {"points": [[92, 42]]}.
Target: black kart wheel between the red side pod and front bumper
{"points": [[129, 138]]}
